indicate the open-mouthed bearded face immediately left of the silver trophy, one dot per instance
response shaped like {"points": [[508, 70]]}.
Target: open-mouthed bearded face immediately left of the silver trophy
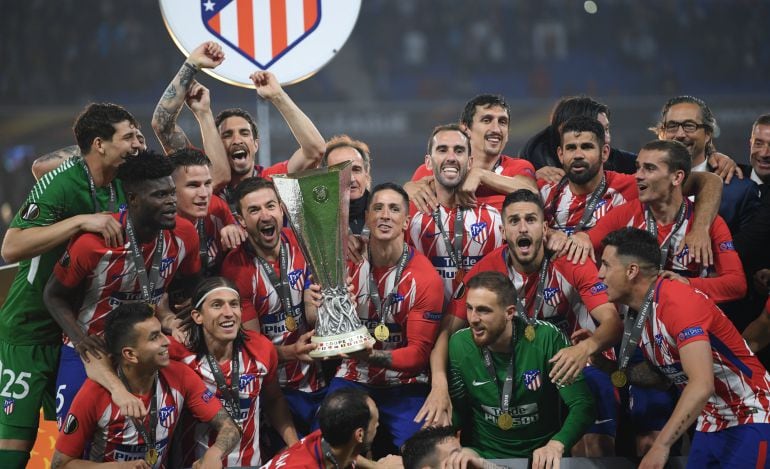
{"points": [[262, 217]]}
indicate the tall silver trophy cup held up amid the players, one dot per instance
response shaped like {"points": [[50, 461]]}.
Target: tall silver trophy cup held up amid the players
{"points": [[317, 202]]}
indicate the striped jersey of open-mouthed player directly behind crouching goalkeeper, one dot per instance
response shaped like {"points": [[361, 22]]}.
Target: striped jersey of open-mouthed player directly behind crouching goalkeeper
{"points": [[570, 293]]}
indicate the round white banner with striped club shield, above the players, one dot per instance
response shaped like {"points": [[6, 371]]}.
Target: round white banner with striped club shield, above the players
{"points": [[291, 38]]}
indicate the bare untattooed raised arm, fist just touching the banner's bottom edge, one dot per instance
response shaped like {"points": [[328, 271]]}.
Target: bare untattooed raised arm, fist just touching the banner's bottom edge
{"points": [[311, 143]]}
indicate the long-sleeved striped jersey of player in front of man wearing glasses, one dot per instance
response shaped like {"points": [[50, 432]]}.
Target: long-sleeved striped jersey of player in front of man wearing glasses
{"points": [[729, 283]]}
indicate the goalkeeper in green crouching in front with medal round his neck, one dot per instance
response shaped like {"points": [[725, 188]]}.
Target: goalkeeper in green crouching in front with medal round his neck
{"points": [[502, 397]]}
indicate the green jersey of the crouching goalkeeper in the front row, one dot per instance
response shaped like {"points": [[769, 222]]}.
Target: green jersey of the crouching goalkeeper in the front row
{"points": [[536, 403]]}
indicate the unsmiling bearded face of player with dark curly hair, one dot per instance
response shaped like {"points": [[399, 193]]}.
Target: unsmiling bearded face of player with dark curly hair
{"points": [[581, 156]]}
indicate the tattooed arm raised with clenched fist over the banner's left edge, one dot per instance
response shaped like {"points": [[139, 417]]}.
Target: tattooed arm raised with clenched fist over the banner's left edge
{"points": [[171, 136]]}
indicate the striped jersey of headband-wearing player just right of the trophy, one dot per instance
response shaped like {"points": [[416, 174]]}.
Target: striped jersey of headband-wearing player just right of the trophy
{"points": [[413, 321]]}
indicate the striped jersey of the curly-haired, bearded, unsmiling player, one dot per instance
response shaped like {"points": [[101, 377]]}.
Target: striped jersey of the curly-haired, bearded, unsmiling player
{"points": [[566, 212]]}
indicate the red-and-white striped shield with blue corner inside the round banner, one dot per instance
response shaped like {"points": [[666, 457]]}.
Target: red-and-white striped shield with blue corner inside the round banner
{"points": [[261, 30]]}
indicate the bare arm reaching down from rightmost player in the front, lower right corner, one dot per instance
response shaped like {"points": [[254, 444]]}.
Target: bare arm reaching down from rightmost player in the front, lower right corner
{"points": [[697, 364]]}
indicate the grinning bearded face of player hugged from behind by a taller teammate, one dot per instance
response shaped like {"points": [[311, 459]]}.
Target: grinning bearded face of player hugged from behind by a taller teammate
{"points": [[449, 158]]}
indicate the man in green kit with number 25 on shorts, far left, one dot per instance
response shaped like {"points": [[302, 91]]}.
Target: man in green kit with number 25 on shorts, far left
{"points": [[76, 197]]}
